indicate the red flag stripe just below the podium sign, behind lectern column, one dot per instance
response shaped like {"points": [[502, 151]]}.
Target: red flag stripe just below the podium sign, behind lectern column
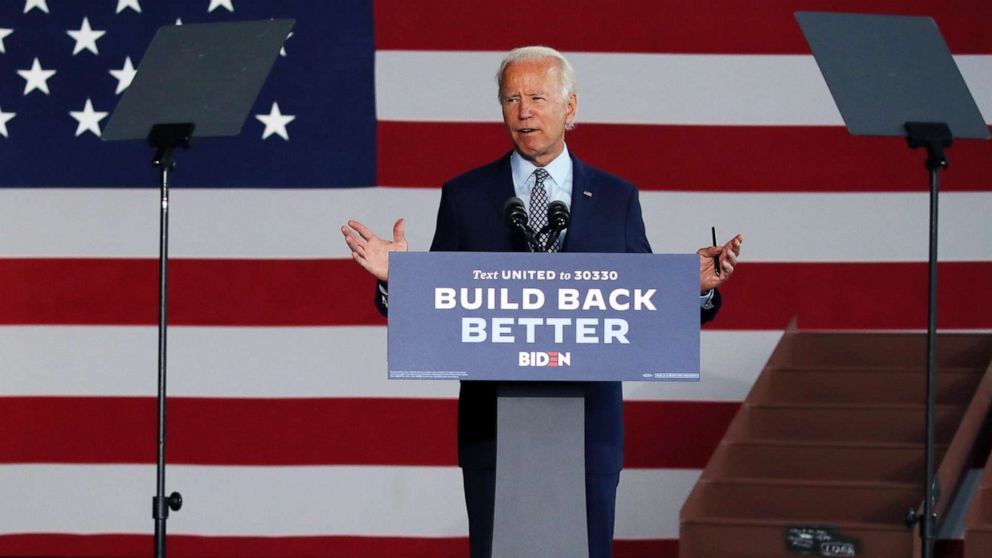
{"points": [[416, 432]]}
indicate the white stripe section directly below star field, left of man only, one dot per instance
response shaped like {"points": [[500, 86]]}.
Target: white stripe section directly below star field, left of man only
{"points": [[225, 223]]}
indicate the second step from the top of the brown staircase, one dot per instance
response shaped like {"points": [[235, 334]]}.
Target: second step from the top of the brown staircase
{"points": [[860, 385]]}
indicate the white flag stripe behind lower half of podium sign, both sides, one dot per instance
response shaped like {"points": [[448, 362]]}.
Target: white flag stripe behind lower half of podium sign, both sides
{"points": [[291, 362]]}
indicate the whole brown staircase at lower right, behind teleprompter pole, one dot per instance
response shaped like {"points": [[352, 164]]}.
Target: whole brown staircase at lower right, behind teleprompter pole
{"points": [[829, 443]]}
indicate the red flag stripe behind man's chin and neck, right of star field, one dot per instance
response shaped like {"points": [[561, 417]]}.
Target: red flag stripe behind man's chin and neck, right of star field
{"points": [[693, 158]]}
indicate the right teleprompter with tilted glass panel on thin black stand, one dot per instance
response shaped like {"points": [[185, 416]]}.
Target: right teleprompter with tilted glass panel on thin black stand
{"points": [[894, 76]]}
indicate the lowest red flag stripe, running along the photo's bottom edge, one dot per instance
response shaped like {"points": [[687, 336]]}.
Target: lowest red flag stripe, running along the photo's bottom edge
{"points": [[184, 546]]}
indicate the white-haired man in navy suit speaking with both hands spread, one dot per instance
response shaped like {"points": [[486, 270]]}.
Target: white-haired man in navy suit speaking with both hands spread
{"points": [[537, 92]]}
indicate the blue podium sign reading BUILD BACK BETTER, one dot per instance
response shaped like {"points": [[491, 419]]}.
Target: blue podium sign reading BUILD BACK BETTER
{"points": [[522, 316]]}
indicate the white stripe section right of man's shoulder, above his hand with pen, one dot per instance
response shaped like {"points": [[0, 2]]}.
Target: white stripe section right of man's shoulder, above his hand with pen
{"points": [[859, 227]]}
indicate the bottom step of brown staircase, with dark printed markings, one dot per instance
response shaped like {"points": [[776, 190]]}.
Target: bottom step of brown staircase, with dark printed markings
{"points": [[750, 538]]}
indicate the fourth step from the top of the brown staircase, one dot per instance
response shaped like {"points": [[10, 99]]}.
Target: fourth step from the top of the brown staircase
{"points": [[819, 461]]}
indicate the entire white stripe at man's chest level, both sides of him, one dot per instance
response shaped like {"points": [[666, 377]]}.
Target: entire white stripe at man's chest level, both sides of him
{"points": [[779, 227]]}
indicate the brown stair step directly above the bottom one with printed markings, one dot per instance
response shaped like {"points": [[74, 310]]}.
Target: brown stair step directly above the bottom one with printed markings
{"points": [[808, 501]]}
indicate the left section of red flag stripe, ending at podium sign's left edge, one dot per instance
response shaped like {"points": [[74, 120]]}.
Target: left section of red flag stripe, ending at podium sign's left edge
{"points": [[201, 292]]}
